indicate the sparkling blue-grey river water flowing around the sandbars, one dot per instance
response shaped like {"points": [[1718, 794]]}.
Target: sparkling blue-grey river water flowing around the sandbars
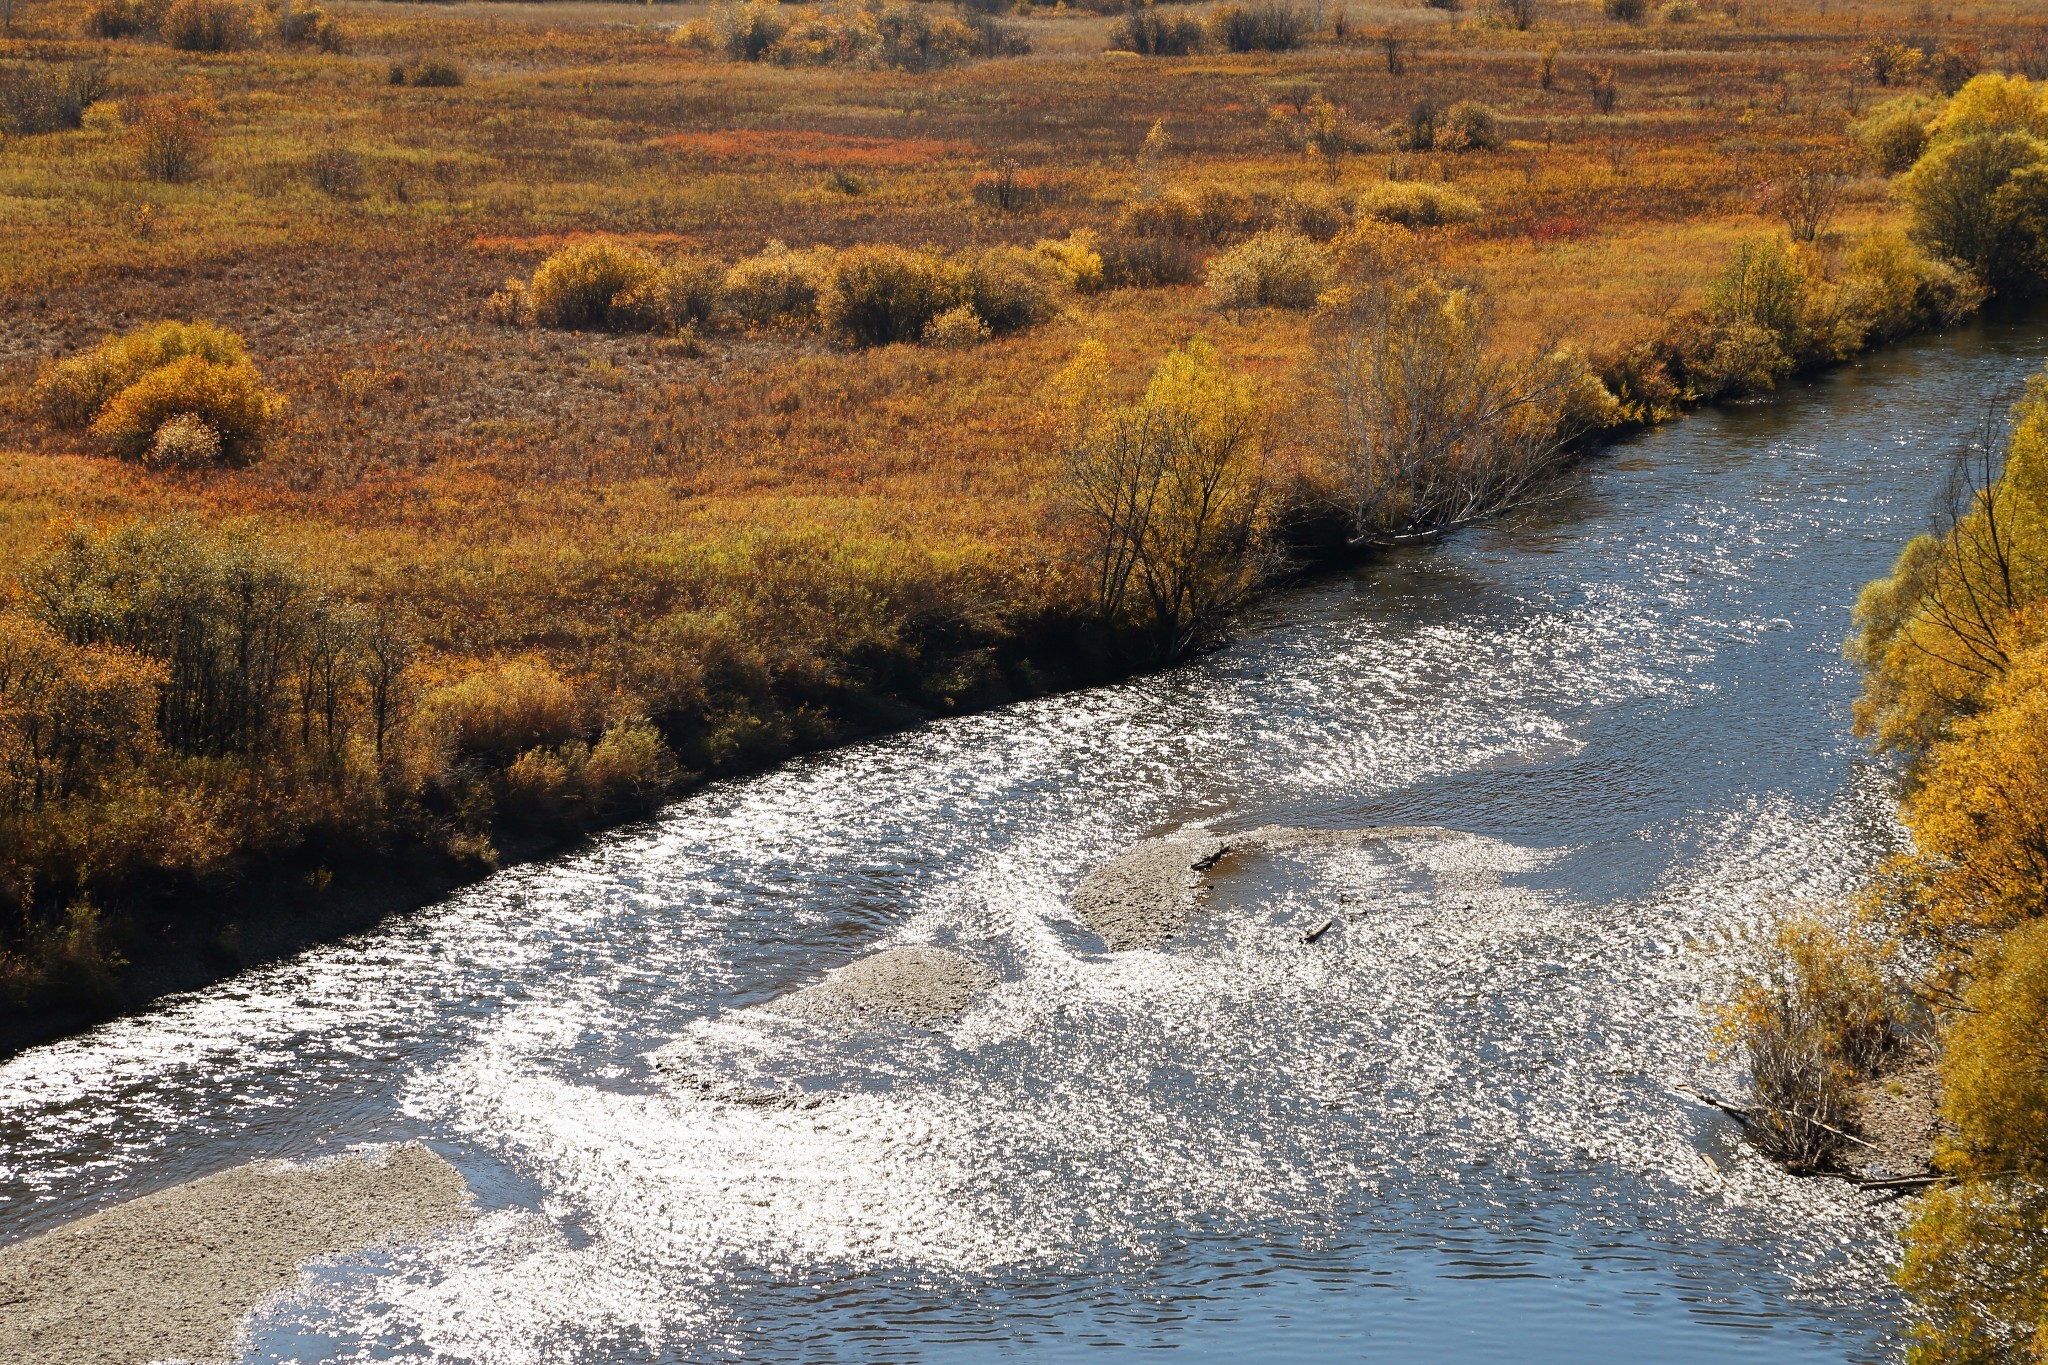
{"points": [[1447, 1131]]}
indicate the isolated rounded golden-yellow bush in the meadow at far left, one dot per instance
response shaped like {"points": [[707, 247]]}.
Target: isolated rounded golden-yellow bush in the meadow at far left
{"points": [[167, 396]]}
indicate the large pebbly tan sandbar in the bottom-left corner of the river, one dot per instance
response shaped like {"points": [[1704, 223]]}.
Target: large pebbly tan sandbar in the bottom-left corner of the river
{"points": [[173, 1274]]}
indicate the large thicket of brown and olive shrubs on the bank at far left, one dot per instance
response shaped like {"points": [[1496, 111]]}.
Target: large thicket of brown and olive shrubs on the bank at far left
{"points": [[177, 701]]}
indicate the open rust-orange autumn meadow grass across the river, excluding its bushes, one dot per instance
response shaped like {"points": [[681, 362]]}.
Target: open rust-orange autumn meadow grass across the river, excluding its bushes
{"points": [[761, 537]]}
